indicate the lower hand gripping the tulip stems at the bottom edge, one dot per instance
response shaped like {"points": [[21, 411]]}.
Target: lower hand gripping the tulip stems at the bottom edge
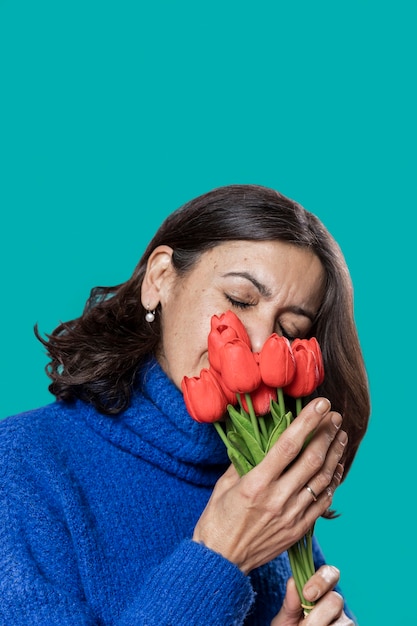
{"points": [[329, 607]]}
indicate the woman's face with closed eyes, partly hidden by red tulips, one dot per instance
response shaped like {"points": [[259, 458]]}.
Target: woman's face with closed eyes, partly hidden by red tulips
{"points": [[272, 286]]}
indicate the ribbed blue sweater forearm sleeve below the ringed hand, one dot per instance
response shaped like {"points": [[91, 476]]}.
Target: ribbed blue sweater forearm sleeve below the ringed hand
{"points": [[193, 586]]}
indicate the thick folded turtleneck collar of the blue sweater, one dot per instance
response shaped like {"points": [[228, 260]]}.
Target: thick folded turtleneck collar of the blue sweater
{"points": [[158, 428]]}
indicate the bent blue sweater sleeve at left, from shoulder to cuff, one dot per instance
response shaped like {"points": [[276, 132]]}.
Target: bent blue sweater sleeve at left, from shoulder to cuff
{"points": [[40, 581]]}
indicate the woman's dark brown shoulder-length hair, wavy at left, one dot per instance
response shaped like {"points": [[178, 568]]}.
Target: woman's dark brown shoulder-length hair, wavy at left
{"points": [[96, 357]]}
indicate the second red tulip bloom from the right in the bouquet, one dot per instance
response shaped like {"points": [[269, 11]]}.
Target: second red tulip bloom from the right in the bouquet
{"points": [[276, 361]]}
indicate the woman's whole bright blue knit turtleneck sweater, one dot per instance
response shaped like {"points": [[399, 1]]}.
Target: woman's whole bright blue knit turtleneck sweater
{"points": [[97, 515]]}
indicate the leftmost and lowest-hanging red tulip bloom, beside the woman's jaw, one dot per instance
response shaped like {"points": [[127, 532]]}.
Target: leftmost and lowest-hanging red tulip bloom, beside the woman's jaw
{"points": [[203, 396]]}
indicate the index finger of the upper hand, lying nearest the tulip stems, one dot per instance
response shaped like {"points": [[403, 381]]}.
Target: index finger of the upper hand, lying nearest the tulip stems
{"points": [[290, 443]]}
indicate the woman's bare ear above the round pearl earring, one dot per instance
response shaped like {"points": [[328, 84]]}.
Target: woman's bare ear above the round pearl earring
{"points": [[158, 276]]}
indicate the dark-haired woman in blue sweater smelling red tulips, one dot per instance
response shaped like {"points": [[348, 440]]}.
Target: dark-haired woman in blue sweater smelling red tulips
{"points": [[119, 508]]}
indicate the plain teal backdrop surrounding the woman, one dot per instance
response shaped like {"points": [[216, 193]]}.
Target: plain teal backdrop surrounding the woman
{"points": [[113, 114]]}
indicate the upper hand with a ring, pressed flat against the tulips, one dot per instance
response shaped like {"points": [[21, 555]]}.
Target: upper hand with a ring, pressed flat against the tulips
{"points": [[252, 519]]}
